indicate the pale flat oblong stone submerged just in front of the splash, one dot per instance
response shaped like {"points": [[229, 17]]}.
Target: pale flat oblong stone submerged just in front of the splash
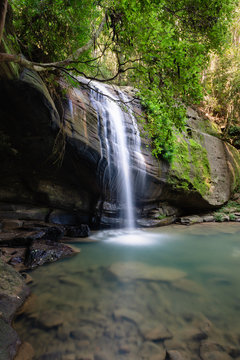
{"points": [[130, 271]]}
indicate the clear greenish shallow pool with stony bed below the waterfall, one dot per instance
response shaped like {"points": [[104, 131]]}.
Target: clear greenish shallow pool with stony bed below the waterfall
{"points": [[135, 295]]}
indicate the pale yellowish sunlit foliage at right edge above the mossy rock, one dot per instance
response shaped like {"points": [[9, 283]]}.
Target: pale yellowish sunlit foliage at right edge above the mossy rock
{"points": [[222, 81]]}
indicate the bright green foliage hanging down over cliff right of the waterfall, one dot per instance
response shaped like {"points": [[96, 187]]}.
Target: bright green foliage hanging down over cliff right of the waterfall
{"points": [[172, 40]]}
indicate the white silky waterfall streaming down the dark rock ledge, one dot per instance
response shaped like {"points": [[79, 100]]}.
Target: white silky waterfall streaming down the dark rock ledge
{"points": [[118, 147]]}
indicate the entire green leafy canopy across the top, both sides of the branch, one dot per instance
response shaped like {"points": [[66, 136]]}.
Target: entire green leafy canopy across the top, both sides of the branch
{"points": [[164, 44]]}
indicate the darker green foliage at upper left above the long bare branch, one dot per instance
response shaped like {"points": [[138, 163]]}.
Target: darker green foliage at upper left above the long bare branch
{"points": [[51, 30]]}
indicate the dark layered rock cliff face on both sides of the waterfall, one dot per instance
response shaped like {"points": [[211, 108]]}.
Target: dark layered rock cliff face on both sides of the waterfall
{"points": [[51, 157]]}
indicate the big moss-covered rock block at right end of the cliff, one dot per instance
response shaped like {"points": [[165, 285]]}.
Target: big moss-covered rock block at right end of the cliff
{"points": [[203, 164]]}
